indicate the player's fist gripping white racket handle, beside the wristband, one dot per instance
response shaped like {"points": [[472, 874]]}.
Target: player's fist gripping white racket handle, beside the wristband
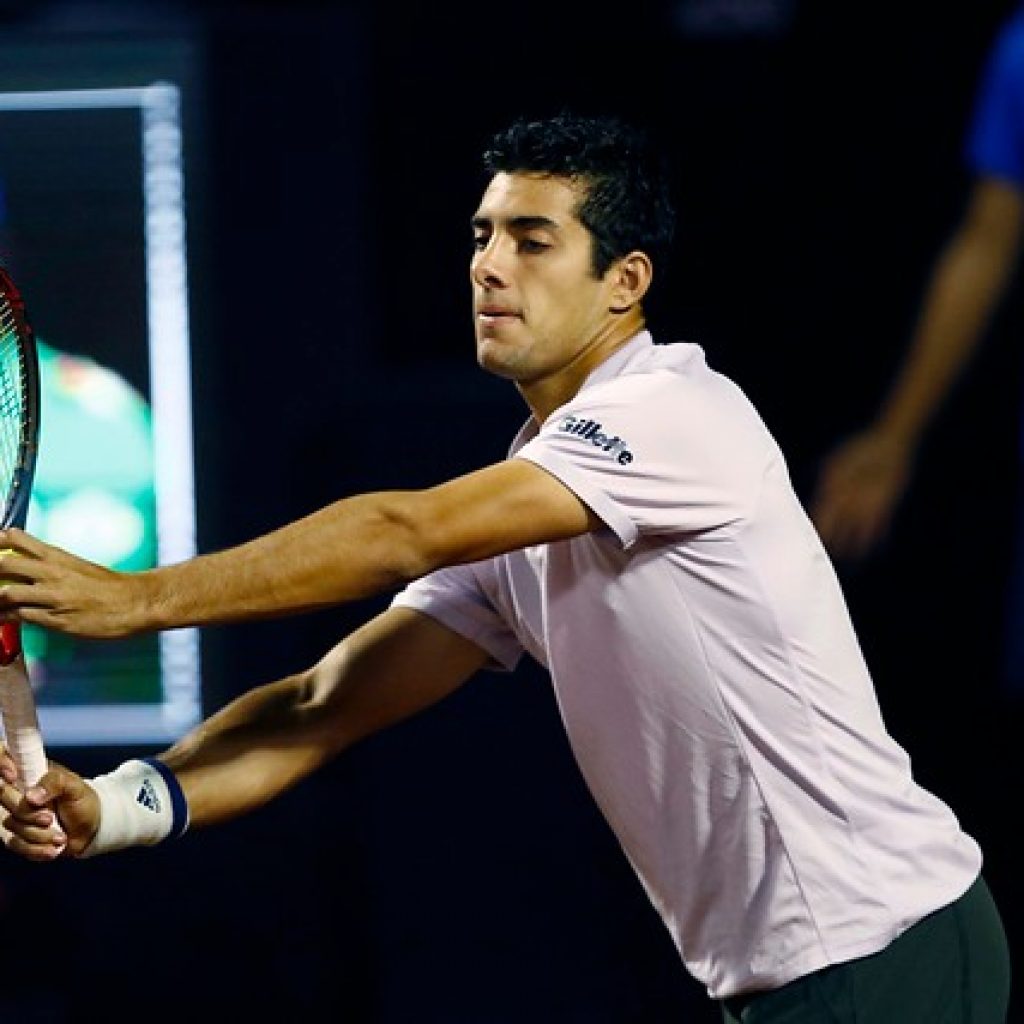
{"points": [[59, 817]]}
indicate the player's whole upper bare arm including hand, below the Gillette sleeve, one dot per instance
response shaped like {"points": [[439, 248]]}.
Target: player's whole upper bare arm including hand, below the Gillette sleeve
{"points": [[352, 549]]}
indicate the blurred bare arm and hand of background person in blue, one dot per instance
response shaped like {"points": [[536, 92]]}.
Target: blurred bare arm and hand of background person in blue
{"points": [[864, 480]]}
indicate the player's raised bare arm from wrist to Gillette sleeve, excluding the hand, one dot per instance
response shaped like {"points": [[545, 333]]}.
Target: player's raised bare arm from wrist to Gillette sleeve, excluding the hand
{"points": [[363, 546]]}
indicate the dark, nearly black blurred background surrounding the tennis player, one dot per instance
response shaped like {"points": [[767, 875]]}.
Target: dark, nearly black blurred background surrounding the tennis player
{"points": [[454, 870]]}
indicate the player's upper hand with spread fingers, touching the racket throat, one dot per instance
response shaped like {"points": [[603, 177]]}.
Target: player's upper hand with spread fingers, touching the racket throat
{"points": [[50, 587]]}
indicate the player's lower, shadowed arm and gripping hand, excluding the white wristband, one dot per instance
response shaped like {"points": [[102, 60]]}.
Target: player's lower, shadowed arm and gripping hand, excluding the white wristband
{"points": [[272, 738]]}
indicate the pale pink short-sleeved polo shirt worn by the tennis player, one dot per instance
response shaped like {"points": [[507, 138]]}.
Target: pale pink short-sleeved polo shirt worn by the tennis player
{"points": [[710, 680]]}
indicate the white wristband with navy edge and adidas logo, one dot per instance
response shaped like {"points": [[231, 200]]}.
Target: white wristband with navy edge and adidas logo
{"points": [[141, 804]]}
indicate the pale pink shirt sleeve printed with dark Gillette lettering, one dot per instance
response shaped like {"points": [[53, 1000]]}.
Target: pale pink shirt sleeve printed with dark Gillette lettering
{"points": [[659, 454]]}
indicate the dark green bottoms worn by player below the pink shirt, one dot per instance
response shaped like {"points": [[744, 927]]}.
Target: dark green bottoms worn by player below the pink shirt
{"points": [[952, 968]]}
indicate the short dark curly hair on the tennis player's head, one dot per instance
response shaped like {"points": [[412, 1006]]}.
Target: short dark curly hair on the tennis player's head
{"points": [[628, 203]]}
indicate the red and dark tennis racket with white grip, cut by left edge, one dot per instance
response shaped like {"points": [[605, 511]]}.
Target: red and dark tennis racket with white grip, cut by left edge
{"points": [[19, 443]]}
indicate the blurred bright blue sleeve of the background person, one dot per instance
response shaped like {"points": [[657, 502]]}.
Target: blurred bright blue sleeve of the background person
{"points": [[996, 139]]}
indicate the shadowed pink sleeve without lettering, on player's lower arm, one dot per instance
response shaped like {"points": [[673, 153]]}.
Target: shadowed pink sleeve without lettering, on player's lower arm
{"points": [[457, 598]]}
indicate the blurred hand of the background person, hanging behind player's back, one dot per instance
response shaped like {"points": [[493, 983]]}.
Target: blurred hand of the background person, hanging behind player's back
{"points": [[861, 487]]}
